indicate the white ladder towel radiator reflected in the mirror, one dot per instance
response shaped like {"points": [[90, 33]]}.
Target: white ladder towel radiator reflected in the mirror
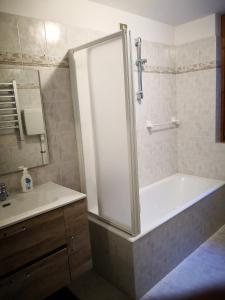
{"points": [[10, 115]]}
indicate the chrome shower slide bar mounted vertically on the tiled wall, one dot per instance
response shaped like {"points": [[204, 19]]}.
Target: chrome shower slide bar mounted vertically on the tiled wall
{"points": [[140, 67]]}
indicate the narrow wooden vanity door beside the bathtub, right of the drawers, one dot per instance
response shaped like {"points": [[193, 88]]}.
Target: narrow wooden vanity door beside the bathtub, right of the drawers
{"points": [[78, 240]]}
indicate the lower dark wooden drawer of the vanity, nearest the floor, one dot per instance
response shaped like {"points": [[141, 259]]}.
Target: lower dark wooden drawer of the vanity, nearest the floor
{"points": [[38, 280]]}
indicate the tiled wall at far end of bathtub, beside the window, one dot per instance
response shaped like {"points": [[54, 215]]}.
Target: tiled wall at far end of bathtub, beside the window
{"points": [[198, 98]]}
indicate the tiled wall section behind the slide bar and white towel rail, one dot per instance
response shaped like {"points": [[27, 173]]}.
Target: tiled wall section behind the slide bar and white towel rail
{"points": [[157, 151]]}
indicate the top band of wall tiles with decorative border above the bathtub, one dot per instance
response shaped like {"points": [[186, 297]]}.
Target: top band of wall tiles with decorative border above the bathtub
{"points": [[195, 56]]}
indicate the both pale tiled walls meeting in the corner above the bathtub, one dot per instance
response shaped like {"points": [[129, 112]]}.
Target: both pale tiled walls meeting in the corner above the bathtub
{"points": [[180, 81]]}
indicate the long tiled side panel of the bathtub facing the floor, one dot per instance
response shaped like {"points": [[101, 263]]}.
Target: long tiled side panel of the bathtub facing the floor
{"points": [[174, 240]]}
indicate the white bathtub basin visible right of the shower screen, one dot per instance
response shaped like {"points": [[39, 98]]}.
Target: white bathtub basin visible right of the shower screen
{"points": [[164, 199]]}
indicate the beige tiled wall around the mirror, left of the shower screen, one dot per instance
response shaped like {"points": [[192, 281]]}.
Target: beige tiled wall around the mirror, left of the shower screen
{"points": [[42, 45]]}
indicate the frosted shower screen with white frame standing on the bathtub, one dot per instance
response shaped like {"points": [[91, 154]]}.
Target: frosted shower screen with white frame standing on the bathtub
{"points": [[104, 111]]}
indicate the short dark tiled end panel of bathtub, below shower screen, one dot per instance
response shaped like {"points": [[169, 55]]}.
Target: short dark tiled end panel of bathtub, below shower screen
{"points": [[112, 258]]}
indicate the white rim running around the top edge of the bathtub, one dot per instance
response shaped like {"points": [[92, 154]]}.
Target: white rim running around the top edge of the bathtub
{"points": [[220, 184]]}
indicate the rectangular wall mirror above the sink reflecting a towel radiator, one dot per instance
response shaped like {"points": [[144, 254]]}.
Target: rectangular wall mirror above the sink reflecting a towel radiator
{"points": [[23, 138]]}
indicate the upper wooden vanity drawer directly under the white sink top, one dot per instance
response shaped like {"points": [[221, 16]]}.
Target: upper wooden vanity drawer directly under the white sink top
{"points": [[30, 240]]}
